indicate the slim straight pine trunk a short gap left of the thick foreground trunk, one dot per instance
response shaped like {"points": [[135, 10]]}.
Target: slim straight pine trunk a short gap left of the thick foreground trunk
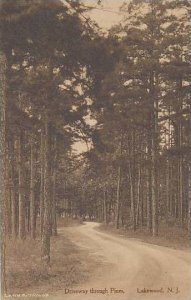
{"points": [[32, 192]]}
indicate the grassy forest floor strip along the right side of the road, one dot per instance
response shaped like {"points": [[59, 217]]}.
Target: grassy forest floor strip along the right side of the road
{"points": [[169, 235]]}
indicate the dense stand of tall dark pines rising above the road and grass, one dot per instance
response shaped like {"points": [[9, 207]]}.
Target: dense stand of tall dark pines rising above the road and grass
{"points": [[125, 93]]}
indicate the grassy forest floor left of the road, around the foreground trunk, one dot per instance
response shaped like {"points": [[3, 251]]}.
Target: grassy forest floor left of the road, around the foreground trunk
{"points": [[25, 274]]}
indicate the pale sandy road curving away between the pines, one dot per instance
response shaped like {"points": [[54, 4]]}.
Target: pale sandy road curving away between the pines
{"points": [[132, 266]]}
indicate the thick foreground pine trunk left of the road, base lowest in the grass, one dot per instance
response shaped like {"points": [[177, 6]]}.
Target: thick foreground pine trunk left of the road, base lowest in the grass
{"points": [[47, 194]]}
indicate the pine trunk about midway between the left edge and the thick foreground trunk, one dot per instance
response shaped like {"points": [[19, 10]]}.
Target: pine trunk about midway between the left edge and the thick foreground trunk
{"points": [[21, 187]]}
